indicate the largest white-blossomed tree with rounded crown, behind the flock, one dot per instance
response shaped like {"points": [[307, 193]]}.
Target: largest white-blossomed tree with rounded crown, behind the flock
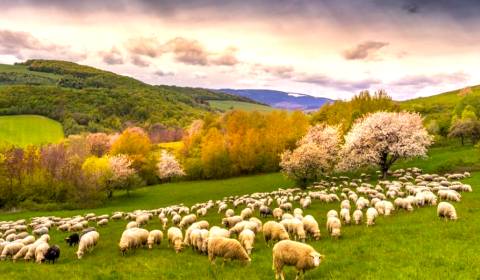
{"points": [[382, 138]]}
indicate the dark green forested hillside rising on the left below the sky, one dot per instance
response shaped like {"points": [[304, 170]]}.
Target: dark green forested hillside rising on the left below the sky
{"points": [[84, 98]]}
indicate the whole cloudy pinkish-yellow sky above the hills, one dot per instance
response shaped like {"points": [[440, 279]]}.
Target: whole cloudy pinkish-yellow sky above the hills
{"points": [[330, 48]]}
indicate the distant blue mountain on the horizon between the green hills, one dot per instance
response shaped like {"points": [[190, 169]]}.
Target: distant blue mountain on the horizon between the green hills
{"points": [[281, 99]]}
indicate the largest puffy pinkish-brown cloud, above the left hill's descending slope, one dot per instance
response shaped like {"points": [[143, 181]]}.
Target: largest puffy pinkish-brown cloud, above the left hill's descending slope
{"points": [[187, 51]]}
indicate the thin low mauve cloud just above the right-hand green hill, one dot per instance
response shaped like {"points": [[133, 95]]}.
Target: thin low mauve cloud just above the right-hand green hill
{"points": [[421, 81]]}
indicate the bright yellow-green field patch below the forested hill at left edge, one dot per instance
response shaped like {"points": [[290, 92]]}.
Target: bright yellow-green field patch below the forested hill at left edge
{"points": [[23, 130]]}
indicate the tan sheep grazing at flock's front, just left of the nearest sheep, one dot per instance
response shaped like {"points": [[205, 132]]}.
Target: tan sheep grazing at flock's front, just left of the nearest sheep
{"points": [[227, 248]]}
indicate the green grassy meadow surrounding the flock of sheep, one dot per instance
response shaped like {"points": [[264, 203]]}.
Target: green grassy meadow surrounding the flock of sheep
{"points": [[414, 245]]}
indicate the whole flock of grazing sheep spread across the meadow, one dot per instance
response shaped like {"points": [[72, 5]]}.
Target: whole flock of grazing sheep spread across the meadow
{"points": [[288, 228]]}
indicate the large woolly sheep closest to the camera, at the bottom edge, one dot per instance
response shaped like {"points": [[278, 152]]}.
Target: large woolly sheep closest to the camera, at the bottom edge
{"points": [[292, 253]]}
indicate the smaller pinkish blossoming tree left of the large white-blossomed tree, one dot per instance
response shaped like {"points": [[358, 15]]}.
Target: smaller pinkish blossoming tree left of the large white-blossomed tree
{"points": [[316, 155]]}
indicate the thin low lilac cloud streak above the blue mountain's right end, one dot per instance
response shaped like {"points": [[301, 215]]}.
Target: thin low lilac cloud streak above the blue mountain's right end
{"points": [[339, 84]]}
